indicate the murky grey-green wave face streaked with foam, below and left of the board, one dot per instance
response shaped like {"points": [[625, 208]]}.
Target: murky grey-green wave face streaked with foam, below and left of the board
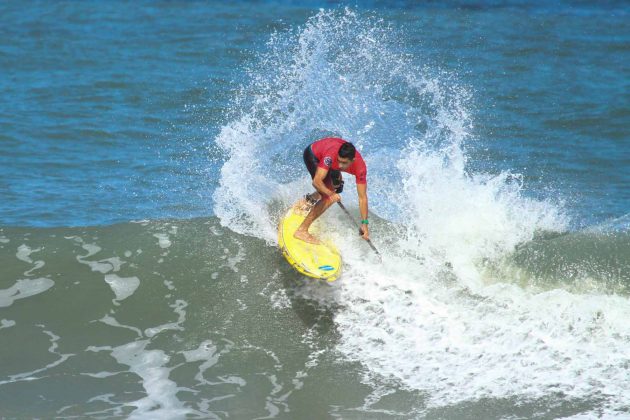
{"points": [[168, 319]]}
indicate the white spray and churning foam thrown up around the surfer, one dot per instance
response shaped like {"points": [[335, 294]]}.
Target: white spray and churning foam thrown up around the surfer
{"points": [[441, 315]]}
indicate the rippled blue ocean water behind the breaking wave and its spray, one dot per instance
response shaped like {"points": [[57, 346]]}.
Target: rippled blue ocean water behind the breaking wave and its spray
{"points": [[109, 111]]}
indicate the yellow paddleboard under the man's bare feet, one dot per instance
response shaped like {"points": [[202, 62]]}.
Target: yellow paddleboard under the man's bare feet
{"points": [[320, 261]]}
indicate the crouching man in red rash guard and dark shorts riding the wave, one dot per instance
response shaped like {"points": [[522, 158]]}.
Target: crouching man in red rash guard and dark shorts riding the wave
{"points": [[325, 159]]}
